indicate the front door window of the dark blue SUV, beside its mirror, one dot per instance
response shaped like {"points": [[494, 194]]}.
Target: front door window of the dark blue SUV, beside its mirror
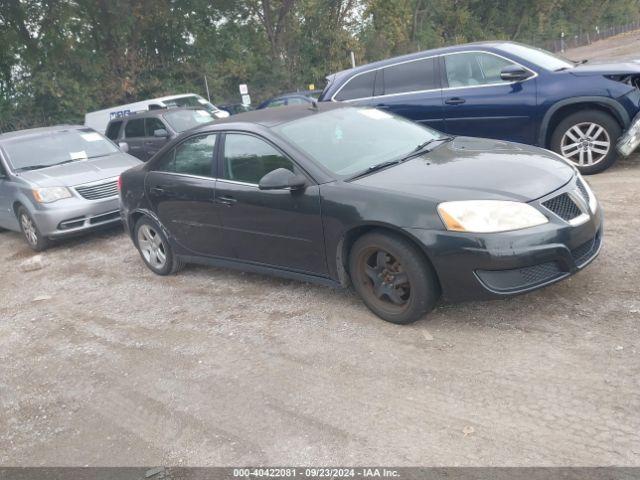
{"points": [[475, 68]]}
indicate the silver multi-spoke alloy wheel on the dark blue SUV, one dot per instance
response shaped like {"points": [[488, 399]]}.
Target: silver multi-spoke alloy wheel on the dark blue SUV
{"points": [[585, 144]]}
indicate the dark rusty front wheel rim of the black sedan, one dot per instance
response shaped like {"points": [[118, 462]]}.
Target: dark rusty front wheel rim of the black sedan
{"points": [[387, 282]]}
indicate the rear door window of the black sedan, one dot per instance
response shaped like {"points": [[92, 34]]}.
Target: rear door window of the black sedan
{"points": [[192, 157]]}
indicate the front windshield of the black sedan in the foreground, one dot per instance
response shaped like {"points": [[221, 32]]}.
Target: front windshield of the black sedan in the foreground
{"points": [[348, 141]]}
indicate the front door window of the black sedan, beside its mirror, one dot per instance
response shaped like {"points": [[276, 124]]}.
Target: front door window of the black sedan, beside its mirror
{"points": [[247, 158]]}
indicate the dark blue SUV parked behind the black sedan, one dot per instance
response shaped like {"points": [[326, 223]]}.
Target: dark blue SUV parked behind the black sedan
{"points": [[588, 113]]}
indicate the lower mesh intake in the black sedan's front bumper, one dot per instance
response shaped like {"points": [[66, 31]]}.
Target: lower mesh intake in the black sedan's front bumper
{"points": [[520, 279]]}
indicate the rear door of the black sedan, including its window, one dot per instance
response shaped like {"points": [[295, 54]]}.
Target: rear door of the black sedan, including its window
{"points": [[181, 189]]}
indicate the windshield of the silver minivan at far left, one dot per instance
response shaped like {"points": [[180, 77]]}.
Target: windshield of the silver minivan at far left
{"points": [[56, 147]]}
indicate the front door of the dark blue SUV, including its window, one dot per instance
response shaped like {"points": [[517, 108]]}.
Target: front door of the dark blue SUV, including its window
{"points": [[478, 103]]}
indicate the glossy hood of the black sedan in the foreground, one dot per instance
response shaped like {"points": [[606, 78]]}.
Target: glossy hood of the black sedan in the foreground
{"points": [[476, 169]]}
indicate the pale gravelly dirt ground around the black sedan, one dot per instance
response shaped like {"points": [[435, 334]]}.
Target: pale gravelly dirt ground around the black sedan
{"points": [[103, 363]]}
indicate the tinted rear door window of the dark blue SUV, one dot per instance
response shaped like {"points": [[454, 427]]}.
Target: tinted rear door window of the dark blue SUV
{"points": [[411, 77]]}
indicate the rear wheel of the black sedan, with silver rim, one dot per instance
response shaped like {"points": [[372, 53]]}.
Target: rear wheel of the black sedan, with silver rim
{"points": [[154, 248]]}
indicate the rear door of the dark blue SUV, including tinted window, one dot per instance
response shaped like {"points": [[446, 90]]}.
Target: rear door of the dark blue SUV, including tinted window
{"points": [[411, 89]]}
